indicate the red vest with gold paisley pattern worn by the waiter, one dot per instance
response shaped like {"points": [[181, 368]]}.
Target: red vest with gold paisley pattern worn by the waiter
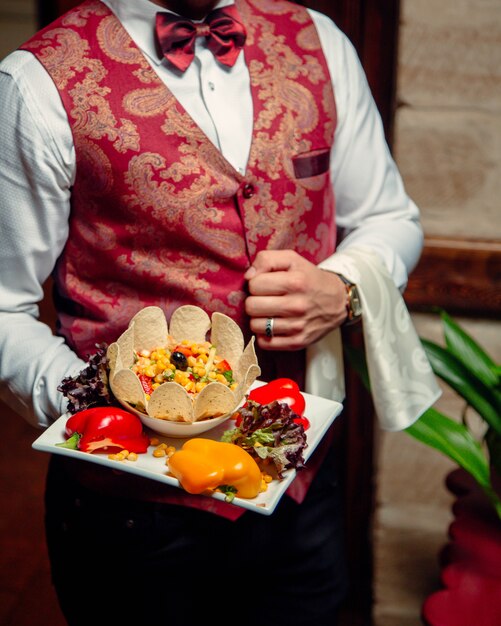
{"points": [[158, 215]]}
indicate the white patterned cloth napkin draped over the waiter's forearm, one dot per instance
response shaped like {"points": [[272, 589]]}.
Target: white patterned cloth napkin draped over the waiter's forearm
{"points": [[403, 385]]}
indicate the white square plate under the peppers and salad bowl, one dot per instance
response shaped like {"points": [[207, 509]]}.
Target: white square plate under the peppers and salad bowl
{"points": [[320, 412]]}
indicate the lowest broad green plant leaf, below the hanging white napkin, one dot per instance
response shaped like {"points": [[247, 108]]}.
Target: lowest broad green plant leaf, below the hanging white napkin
{"points": [[454, 440]]}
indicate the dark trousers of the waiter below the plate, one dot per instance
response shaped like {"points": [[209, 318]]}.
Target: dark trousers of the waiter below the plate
{"points": [[147, 563]]}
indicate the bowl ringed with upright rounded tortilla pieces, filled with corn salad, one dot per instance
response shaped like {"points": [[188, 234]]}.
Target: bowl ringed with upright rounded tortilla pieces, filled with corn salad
{"points": [[173, 408]]}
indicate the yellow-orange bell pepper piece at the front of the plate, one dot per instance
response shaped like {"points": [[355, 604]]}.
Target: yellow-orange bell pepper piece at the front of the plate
{"points": [[203, 464]]}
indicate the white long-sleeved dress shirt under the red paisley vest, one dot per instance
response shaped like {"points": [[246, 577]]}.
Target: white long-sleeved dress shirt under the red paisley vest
{"points": [[37, 170]]}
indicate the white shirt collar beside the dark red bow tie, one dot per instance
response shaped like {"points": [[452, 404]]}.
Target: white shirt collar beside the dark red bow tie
{"points": [[138, 19]]}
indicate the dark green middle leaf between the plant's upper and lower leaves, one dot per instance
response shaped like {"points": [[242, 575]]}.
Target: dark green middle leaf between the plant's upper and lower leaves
{"points": [[478, 395]]}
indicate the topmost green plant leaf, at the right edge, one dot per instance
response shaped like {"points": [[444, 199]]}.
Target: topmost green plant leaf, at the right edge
{"points": [[469, 352]]}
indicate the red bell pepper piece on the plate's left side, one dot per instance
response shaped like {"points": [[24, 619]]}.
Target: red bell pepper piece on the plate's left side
{"points": [[102, 428]]}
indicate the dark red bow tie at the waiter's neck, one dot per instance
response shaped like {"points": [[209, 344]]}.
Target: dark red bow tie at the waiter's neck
{"points": [[223, 29]]}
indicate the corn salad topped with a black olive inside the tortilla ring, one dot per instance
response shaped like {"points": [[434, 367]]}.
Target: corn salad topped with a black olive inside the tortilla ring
{"points": [[192, 365]]}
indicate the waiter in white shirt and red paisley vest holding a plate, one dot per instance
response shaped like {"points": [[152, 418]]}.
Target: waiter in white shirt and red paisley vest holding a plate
{"points": [[292, 302]]}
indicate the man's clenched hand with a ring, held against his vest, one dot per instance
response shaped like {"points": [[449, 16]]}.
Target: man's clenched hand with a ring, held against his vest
{"points": [[305, 302]]}
